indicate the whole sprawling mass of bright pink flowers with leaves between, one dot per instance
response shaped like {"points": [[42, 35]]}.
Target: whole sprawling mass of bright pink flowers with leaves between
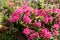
{"points": [[42, 23]]}
